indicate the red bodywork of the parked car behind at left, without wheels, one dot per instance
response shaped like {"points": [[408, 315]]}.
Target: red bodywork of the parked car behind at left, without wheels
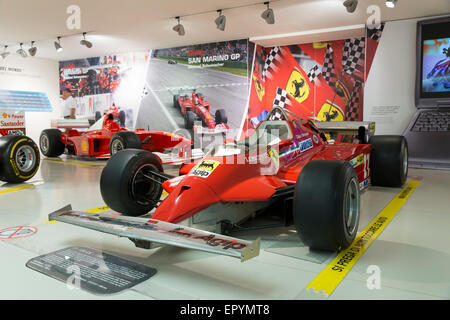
{"points": [[95, 143]]}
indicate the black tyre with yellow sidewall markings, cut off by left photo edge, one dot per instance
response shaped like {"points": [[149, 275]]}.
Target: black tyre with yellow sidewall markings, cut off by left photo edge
{"points": [[19, 158]]}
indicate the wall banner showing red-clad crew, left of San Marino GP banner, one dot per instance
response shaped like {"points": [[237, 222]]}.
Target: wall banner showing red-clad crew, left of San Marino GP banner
{"points": [[99, 83]]}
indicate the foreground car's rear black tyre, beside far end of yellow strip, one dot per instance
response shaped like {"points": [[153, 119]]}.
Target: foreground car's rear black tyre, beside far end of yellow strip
{"points": [[389, 161]]}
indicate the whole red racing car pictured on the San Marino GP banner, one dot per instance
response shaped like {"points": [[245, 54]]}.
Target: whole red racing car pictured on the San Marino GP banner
{"points": [[196, 108]]}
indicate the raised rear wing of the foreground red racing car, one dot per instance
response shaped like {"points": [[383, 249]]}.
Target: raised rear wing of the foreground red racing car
{"points": [[362, 129]]}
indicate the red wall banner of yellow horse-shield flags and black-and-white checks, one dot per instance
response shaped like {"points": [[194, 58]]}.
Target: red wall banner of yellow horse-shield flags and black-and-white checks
{"points": [[322, 81]]}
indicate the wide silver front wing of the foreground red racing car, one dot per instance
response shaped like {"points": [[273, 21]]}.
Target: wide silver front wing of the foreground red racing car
{"points": [[152, 230]]}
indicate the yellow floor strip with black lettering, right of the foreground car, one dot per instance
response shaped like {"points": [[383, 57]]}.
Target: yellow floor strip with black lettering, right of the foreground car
{"points": [[327, 281]]}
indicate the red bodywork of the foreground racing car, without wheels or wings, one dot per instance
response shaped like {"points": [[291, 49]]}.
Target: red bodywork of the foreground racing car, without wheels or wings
{"points": [[242, 180]]}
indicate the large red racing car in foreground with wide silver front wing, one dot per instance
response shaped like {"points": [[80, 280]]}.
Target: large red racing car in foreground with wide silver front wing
{"points": [[287, 163]]}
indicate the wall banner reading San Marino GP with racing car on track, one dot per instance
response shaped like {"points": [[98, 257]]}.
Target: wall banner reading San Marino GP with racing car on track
{"points": [[198, 89]]}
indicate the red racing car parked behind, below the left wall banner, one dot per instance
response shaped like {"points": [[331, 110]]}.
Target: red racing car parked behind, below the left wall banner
{"points": [[106, 137]]}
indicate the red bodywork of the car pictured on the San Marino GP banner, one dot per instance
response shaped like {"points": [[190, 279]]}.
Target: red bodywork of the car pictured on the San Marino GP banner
{"points": [[201, 108]]}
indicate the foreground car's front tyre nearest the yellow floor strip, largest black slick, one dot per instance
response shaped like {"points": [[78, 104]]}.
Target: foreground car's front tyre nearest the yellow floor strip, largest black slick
{"points": [[327, 205]]}
